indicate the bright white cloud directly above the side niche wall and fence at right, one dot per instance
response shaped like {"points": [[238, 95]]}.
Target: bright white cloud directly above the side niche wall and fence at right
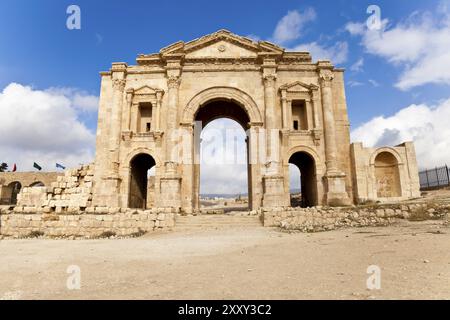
{"points": [[426, 125]]}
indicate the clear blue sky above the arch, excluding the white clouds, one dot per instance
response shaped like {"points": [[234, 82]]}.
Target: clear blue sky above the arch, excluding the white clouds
{"points": [[38, 49]]}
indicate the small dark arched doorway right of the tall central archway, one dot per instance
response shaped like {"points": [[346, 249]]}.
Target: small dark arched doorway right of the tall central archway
{"points": [[308, 180]]}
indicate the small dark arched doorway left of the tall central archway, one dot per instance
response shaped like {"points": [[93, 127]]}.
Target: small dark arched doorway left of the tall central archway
{"points": [[140, 171]]}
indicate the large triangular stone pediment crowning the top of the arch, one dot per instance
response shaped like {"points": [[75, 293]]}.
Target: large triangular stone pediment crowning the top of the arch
{"points": [[221, 44]]}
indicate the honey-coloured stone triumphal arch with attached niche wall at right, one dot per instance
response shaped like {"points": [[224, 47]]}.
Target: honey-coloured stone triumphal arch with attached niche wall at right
{"points": [[293, 110]]}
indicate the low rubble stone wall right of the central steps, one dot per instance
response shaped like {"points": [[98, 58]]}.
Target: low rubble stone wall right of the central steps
{"points": [[324, 218]]}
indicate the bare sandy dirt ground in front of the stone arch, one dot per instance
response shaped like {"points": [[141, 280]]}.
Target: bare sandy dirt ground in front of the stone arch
{"points": [[255, 263]]}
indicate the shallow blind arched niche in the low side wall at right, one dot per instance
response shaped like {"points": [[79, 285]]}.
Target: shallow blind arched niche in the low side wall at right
{"points": [[387, 175]]}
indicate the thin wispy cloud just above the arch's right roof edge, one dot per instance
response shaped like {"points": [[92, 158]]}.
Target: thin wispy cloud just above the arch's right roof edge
{"points": [[336, 53]]}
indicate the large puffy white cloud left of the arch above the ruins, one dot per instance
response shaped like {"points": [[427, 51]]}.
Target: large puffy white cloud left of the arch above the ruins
{"points": [[43, 126]]}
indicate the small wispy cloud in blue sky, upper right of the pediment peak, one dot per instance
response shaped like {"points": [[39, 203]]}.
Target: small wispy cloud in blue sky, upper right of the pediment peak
{"points": [[290, 26]]}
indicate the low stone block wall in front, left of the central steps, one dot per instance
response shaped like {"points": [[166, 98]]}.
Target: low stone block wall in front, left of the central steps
{"points": [[92, 223]]}
